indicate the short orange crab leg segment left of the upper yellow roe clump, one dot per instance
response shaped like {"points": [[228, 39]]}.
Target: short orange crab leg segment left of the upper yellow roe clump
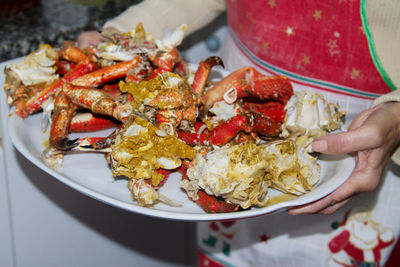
{"points": [[107, 74]]}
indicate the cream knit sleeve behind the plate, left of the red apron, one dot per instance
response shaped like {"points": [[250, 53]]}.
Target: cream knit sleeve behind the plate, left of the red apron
{"points": [[158, 15]]}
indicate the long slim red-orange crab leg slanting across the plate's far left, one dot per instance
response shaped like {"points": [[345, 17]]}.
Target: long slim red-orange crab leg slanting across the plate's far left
{"points": [[34, 103]]}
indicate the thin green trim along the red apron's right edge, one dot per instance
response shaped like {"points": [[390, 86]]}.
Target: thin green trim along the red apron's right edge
{"points": [[371, 45]]}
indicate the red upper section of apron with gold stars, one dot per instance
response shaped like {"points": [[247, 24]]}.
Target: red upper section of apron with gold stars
{"points": [[317, 43]]}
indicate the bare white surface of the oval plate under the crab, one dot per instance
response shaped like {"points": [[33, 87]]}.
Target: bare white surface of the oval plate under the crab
{"points": [[90, 174]]}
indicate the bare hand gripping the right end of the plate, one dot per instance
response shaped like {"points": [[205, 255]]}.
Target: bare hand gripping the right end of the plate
{"points": [[371, 138]]}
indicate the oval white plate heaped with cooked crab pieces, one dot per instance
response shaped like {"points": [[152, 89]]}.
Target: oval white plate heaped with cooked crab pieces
{"points": [[130, 123]]}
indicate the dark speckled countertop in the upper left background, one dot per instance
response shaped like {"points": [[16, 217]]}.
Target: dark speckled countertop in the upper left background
{"points": [[52, 22]]}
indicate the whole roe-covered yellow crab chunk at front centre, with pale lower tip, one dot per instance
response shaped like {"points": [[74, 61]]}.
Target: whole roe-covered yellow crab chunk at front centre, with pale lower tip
{"points": [[140, 149]]}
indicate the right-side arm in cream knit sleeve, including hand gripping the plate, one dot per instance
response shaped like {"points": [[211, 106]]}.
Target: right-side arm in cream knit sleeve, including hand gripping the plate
{"points": [[373, 136]]}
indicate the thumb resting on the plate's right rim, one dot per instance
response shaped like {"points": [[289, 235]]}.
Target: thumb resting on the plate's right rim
{"points": [[359, 139]]}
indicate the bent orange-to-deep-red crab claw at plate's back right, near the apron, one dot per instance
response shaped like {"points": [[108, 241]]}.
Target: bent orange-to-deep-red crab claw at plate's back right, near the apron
{"points": [[262, 98]]}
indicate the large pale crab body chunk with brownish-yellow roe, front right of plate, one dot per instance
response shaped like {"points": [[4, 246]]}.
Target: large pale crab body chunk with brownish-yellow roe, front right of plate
{"points": [[242, 174]]}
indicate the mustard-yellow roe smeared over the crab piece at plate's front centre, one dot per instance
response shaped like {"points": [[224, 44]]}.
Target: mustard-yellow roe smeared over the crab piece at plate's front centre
{"points": [[136, 156]]}
